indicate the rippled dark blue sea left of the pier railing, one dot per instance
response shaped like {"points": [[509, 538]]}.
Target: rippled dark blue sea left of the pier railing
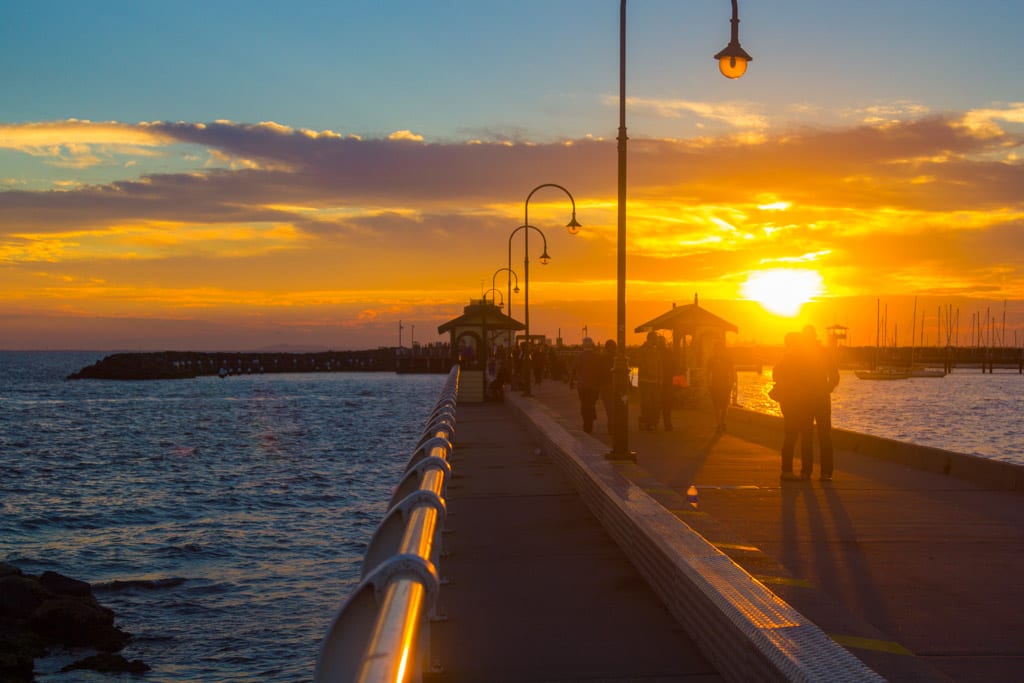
{"points": [[234, 513]]}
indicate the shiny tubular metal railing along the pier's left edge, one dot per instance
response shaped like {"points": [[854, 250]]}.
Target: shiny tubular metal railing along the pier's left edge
{"points": [[381, 632]]}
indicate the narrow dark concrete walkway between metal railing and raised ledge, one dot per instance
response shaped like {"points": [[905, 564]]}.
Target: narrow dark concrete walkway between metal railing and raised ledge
{"points": [[535, 589]]}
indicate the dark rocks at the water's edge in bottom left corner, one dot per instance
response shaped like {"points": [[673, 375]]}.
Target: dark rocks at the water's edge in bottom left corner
{"points": [[53, 611]]}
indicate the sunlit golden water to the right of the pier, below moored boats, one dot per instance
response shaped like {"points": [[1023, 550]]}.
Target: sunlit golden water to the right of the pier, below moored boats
{"points": [[966, 411]]}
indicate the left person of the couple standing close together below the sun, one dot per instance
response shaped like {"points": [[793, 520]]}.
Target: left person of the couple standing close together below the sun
{"points": [[794, 380]]}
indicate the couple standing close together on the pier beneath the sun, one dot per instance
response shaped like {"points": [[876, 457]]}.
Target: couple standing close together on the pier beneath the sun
{"points": [[804, 382]]}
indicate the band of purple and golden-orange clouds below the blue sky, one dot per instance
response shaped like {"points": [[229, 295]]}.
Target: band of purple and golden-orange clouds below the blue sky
{"points": [[254, 215]]}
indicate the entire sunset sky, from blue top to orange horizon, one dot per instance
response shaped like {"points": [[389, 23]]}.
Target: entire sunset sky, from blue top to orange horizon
{"points": [[241, 176]]}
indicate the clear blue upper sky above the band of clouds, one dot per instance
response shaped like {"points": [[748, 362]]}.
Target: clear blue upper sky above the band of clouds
{"points": [[455, 70]]}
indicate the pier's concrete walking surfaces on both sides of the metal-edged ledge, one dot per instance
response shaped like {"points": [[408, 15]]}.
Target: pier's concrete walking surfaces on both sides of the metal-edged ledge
{"points": [[916, 574]]}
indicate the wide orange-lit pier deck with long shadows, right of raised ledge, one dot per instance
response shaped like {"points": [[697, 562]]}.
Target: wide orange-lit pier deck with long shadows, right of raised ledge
{"points": [[916, 573]]}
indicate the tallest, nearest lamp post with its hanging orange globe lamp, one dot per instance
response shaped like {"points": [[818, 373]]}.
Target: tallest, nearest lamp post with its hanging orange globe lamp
{"points": [[733, 64]]}
